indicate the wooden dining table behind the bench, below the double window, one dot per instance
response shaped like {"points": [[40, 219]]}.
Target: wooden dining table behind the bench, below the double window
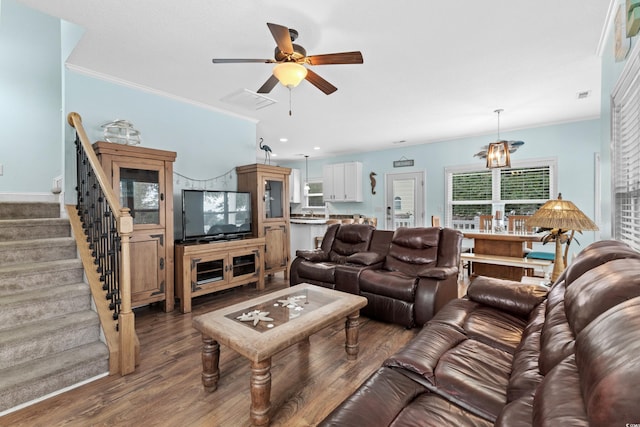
{"points": [[501, 244]]}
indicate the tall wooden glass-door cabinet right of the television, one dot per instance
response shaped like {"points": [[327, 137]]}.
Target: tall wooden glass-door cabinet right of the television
{"points": [[269, 187]]}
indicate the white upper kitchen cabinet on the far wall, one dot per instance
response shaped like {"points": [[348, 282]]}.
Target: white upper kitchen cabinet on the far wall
{"points": [[342, 182]]}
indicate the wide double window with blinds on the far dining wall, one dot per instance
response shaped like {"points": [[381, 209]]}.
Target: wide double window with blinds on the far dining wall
{"points": [[520, 190]]}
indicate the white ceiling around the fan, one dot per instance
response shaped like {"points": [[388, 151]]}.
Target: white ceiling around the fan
{"points": [[432, 70]]}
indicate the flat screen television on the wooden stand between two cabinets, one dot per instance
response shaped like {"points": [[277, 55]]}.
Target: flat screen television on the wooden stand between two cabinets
{"points": [[215, 215]]}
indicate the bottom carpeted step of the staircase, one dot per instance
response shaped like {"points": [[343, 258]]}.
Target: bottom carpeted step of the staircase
{"points": [[33, 379]]}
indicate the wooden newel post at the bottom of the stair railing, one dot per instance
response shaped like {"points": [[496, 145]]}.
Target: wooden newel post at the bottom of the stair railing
{"points": [[126, 319]]}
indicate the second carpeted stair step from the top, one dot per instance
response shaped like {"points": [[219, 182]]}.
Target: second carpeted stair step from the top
{"points": [[26, 229]]}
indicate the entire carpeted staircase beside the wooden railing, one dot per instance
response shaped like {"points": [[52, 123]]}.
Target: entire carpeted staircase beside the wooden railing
{"points": [[49, 334]]}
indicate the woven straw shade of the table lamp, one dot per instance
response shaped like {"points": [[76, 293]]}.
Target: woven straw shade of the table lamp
{"points": [[561, 214]]}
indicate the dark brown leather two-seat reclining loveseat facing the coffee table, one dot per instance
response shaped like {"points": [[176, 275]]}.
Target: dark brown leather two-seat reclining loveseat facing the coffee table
{"points": [[406, 275]]}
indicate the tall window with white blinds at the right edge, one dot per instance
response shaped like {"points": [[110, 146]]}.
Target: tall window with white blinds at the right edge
{"points": [[625, 156]]}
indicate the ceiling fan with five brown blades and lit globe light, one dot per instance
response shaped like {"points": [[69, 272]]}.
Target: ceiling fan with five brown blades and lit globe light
{"points": [[289, 59]]}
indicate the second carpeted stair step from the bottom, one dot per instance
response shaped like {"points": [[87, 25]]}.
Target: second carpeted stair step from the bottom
{"points": [[44, 338]]}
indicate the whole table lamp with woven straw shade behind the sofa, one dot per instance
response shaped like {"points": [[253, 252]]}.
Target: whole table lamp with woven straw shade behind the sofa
{"points": [[560, 216]]}
